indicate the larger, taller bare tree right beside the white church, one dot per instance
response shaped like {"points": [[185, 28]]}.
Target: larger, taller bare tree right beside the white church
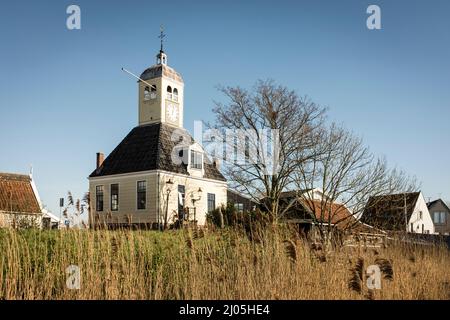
{"points": [[291, 123]]}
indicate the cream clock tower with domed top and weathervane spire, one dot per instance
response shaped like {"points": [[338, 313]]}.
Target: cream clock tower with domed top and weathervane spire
{"points": [[161, 93]]}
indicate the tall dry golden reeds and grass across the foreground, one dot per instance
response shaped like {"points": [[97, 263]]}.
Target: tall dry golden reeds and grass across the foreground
{"points": [[222, 264]]}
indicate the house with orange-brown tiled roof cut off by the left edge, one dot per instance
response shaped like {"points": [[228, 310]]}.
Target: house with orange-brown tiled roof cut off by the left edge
{"points": [[20, 205]]}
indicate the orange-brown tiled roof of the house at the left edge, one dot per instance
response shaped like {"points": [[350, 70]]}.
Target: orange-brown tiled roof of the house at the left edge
{"points": [[17, 194]]}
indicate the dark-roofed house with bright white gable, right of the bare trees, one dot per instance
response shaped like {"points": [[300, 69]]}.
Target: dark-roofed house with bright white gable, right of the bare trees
{"points": [[399, 212]]}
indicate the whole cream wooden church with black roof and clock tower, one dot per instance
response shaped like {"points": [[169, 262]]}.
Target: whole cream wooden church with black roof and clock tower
{"points": [[158, 175]]}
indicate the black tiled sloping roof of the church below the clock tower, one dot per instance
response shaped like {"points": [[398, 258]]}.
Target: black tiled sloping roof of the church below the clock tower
{"points": [[150, 147]]}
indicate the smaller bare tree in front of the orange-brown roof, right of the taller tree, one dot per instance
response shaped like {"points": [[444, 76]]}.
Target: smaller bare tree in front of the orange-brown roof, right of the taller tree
{"points": [[347, 174]]}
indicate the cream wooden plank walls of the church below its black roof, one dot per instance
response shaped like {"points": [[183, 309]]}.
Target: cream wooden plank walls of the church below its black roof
{"points": [[162, 197]]}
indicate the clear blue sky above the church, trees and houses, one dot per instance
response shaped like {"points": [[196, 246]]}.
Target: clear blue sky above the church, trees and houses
{"points": [[63, 96]]}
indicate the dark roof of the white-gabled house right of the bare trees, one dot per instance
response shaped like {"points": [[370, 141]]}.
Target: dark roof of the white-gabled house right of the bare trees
{"points": [[388, 211]]}
